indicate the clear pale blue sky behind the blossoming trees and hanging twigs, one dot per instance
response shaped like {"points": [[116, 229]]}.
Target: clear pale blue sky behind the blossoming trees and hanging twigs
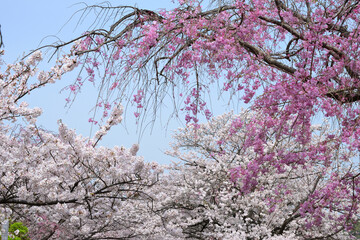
{"points": [[27, 25]]}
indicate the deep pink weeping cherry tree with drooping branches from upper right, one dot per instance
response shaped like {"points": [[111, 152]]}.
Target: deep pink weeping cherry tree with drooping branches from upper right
{"points": [[293, 62]]}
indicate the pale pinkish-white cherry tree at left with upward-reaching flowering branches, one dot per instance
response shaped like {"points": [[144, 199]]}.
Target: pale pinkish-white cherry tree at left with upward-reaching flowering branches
{"points": [[61, 185]]}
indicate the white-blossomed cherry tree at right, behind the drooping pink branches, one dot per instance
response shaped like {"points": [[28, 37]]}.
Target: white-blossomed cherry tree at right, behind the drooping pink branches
{"points": [[284, 201]]}
